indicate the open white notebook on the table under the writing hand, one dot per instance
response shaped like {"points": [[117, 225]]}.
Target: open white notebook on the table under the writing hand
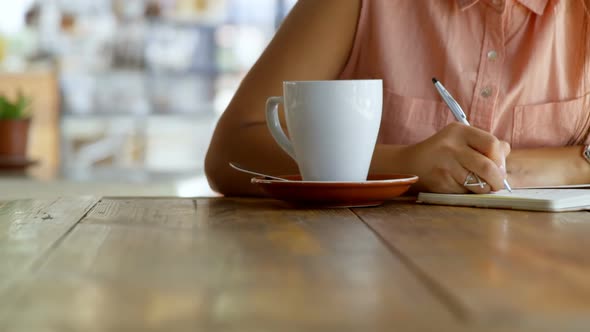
{"points": [[555, 199]]}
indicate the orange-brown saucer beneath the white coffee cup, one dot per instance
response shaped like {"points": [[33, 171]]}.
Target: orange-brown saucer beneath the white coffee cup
{"points": [[377, 189]]}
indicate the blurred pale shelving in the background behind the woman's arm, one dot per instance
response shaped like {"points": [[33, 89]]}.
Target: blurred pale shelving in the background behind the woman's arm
{"points": [[141, 94]]}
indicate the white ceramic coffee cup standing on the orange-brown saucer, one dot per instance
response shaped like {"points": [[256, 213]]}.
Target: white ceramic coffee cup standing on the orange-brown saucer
{"points": [[333, 126]]}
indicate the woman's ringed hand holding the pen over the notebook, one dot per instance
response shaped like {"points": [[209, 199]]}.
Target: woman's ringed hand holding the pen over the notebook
{"points": [[444, 160]]}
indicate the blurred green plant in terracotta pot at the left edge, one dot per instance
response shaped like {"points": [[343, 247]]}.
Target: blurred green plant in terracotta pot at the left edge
{"points": [[14, 126]]}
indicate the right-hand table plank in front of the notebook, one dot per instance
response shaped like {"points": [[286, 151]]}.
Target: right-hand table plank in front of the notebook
{"points": [[509, 268]]}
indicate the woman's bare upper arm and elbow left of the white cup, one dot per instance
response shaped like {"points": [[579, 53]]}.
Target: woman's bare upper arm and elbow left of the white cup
{"points": [[313, 43]]}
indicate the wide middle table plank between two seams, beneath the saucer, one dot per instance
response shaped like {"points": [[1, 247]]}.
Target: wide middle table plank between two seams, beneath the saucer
{"points": [[221, 265]]}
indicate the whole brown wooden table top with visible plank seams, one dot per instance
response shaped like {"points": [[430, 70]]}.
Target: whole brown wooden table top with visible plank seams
{"points": [[224, 264]]}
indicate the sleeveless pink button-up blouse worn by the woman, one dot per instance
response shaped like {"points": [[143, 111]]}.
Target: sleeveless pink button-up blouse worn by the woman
{"points": [[515, 66]]}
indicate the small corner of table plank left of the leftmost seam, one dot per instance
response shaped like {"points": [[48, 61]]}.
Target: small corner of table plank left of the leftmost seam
{"points": [[29, 229]]}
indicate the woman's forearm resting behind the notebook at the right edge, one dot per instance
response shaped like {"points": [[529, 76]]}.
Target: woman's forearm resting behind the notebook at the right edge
{"points": [[547, 166]]}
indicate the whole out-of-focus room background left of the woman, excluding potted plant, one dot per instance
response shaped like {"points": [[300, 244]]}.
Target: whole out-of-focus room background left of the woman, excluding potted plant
{"points": [[125, 93]]}
